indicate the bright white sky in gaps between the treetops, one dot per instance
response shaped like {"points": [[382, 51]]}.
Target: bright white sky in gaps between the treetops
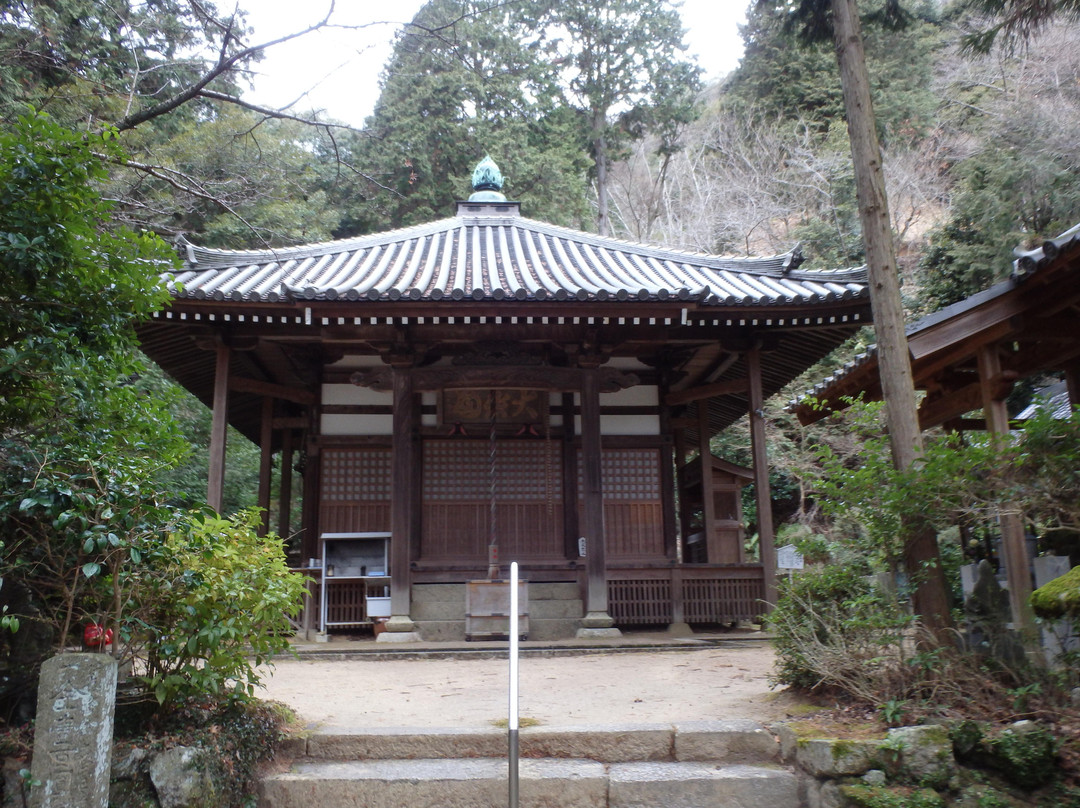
{"points": [[340, 70]]}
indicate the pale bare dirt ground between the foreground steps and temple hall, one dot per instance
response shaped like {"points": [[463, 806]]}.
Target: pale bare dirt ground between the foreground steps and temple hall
{"points": [[652, 688]]}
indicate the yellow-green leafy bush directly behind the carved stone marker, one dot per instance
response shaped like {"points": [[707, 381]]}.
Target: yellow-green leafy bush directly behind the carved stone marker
{"points": [[223, 599]]}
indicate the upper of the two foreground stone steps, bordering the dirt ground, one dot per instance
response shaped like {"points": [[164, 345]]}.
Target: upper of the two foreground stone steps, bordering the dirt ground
{"points": [[739, 742]]}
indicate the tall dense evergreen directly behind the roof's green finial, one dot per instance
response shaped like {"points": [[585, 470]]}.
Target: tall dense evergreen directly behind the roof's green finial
{"points": [[466, 80]]}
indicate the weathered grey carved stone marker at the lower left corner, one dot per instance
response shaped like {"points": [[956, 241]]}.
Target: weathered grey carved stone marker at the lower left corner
{"points": [[73, 745]]}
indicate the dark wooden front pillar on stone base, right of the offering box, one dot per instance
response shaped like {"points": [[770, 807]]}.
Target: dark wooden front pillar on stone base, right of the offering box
{"points": [[597, 602]]}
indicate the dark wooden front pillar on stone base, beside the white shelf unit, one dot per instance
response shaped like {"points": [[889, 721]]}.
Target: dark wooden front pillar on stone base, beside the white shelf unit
{"points": [[401, 507]]}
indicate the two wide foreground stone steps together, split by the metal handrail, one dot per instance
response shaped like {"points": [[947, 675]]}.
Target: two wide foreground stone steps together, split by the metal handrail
{"points": [[690, 765]]}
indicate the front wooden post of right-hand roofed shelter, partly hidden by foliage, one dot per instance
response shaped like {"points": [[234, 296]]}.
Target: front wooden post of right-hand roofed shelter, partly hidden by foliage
{"points": [[1018, 568]]}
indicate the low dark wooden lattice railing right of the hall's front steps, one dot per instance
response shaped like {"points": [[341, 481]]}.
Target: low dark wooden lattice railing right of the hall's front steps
{"points": [[690, 594]]}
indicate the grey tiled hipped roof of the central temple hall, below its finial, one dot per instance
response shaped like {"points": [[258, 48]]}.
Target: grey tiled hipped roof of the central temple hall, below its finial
{"points": [[488, 252]]}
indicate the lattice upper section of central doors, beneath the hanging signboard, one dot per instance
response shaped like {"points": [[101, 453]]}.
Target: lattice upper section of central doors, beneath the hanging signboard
{"points": [[462, 472]]}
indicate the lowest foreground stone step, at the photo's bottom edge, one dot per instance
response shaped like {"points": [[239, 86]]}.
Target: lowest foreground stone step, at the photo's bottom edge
{"points": [[545, 783]]}
